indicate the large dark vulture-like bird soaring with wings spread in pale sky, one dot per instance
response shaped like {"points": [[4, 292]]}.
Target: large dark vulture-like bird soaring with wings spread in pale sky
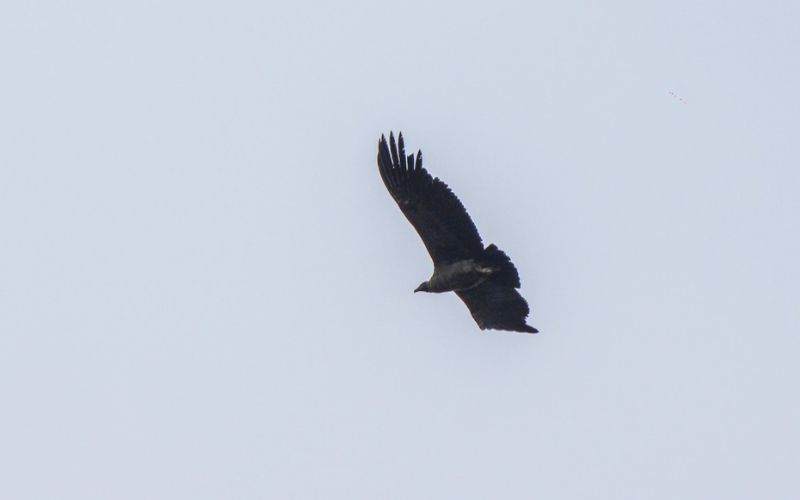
{"points": [[484, 278]]}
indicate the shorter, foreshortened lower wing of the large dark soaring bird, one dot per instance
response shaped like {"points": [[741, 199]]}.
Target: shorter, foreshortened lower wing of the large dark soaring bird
{"points": [[497, 307]]}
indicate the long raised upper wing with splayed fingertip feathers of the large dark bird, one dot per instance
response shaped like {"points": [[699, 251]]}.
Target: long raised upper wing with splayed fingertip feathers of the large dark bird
{"points": [[435, 212]]}
